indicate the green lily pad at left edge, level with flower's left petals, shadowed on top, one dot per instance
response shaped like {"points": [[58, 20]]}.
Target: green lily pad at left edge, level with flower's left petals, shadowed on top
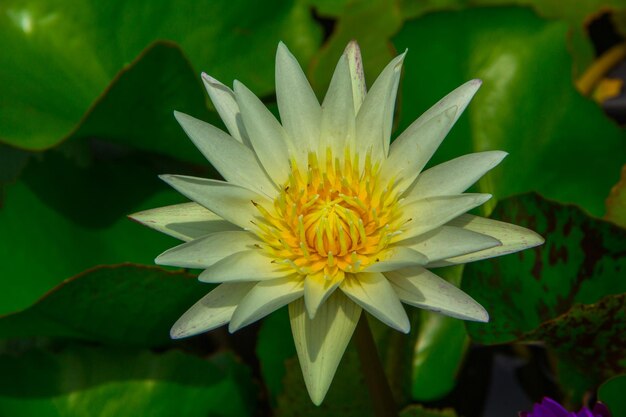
{"points": [[61, 219]]}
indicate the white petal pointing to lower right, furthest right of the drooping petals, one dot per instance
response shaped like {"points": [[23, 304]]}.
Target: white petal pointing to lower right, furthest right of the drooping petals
{"points": [[421, 288]]}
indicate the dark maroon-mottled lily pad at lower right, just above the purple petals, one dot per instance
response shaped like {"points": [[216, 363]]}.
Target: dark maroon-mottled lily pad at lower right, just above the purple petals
{"points": [[590, 343]]}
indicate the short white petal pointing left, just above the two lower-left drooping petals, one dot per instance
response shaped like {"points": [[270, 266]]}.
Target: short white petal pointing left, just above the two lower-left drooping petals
{"points": [[249, 265]]}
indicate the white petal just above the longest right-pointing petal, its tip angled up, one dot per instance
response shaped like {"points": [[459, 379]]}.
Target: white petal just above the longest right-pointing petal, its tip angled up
{"points": [[429, 213]]}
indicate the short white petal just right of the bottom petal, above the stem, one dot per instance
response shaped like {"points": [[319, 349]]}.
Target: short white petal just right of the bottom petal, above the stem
{"points": [[373, 292]]}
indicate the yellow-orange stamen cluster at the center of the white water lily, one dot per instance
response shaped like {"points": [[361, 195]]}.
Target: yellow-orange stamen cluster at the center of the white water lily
{"points": [[334, 218]]}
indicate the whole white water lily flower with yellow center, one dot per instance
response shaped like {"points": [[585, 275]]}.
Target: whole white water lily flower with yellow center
{"points": [[321, 213]]}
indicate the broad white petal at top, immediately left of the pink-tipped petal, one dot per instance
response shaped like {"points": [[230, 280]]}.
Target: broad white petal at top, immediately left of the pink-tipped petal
{"points": [[300, 112]]}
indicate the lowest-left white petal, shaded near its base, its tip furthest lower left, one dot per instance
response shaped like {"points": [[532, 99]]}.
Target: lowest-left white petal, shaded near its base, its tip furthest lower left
{"points": [[212, 311]]}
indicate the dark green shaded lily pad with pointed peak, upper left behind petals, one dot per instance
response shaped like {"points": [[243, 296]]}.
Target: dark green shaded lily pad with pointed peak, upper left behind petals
{"points": [[137, 109]]}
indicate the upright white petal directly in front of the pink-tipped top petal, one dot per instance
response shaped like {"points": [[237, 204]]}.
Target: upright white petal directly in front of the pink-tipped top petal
{"points": [[338, 117]]}
